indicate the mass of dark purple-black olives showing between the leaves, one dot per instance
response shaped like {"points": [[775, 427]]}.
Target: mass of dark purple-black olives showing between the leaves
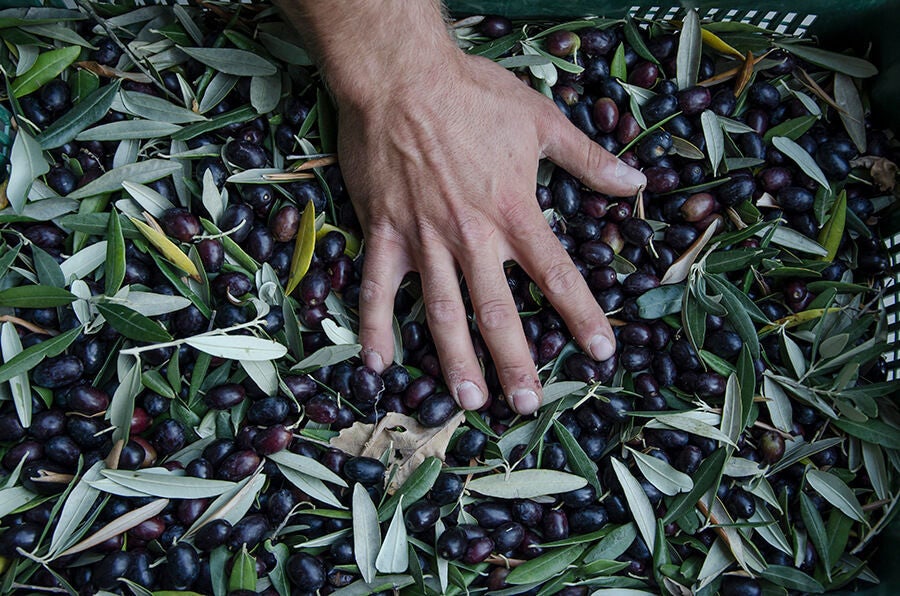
{"points": [[602, 235]]}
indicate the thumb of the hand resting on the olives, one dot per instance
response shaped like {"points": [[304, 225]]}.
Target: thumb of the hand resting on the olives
{"points": [[596, 167]]}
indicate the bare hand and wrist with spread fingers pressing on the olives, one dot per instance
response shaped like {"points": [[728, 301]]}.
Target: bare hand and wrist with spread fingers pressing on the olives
{"points": [[439, 151]]}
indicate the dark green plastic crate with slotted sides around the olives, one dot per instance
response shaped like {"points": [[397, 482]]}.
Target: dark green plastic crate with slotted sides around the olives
{"points": [[870, 27]]}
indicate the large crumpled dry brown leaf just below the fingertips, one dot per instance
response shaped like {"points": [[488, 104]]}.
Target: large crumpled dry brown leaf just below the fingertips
{"points": [[408, 441]]}
